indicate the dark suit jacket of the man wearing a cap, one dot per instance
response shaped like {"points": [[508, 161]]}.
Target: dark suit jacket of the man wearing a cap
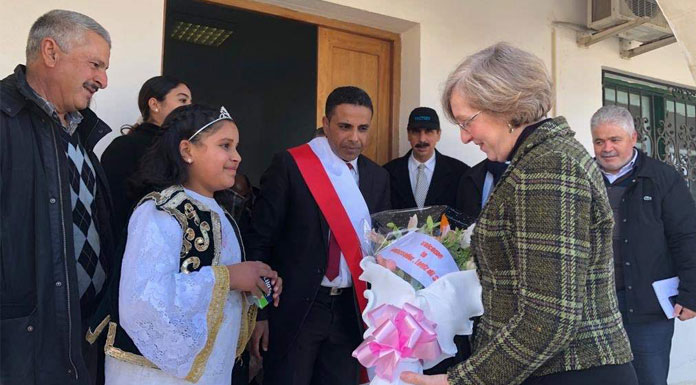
{"points": [[443, 185]]}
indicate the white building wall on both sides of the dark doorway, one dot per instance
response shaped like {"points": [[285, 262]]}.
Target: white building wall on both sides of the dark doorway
{"points": [[436, 35]]}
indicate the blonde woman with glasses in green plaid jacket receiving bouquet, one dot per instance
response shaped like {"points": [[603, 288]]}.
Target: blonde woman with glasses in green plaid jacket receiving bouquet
{"points": [[542, 243]]}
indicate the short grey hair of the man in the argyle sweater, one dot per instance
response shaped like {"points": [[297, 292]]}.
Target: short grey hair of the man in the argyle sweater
{"points": [[65, 27]]}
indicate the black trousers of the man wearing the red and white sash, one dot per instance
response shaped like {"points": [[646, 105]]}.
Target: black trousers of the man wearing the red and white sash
{"points": [[321, 355]]}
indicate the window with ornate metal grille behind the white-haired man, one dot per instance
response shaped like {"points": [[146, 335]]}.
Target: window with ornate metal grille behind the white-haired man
{"points": [[665, 118]]}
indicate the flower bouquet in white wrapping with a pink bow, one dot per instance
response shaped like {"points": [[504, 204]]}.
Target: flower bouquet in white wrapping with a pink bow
{"points": [[423, 290]]}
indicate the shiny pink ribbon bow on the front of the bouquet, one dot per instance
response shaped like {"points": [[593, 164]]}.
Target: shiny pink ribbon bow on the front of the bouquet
{"points": [[402, 333]]}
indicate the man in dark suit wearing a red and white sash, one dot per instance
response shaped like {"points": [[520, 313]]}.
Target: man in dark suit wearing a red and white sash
{"points": [[308, 225]]}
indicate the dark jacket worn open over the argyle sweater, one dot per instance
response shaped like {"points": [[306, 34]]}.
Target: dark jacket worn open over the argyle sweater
{"points": [[42, 336]]}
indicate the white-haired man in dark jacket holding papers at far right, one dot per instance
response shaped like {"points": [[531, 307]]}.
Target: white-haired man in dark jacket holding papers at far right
{"points": [[654, 239]]}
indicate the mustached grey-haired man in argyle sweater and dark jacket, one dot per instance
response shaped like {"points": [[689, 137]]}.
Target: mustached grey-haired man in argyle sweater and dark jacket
{"points": [[55, 236]]}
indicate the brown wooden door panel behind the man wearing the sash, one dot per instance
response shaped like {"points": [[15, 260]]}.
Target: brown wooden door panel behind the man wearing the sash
{"points": [[349, 59]]}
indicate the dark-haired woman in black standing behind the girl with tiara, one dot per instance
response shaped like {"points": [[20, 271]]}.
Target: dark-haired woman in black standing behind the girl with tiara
{"points": [[157, 98]]}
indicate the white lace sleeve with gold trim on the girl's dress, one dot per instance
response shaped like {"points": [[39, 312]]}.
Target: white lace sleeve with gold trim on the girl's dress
{"points": [[173, 318]]}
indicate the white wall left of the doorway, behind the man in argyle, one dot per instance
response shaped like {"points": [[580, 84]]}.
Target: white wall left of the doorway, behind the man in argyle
{"points": [[136, 33]]}
